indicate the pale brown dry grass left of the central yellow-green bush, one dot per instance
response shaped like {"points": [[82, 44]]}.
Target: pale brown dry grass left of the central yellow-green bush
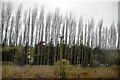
{"points": [[27, 71]]}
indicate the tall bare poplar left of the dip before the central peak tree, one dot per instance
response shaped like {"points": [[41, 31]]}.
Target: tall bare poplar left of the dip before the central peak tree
{"points": [[40, 27]]}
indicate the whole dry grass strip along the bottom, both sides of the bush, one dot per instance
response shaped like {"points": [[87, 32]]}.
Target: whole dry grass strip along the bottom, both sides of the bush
{"points": [[33, 71]]}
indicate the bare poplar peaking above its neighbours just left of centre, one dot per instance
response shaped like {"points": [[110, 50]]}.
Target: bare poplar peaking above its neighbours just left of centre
{"points": [[56, 25]]}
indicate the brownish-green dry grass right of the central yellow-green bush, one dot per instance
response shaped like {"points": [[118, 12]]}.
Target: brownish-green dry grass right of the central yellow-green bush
{"points": [[98, 72]]}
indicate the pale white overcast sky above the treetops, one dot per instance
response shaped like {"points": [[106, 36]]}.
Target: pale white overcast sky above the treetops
{"points": [[97, 9]]}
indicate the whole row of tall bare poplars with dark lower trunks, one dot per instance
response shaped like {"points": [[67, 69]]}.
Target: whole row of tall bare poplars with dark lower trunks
{"points": [[32, 37]]}
